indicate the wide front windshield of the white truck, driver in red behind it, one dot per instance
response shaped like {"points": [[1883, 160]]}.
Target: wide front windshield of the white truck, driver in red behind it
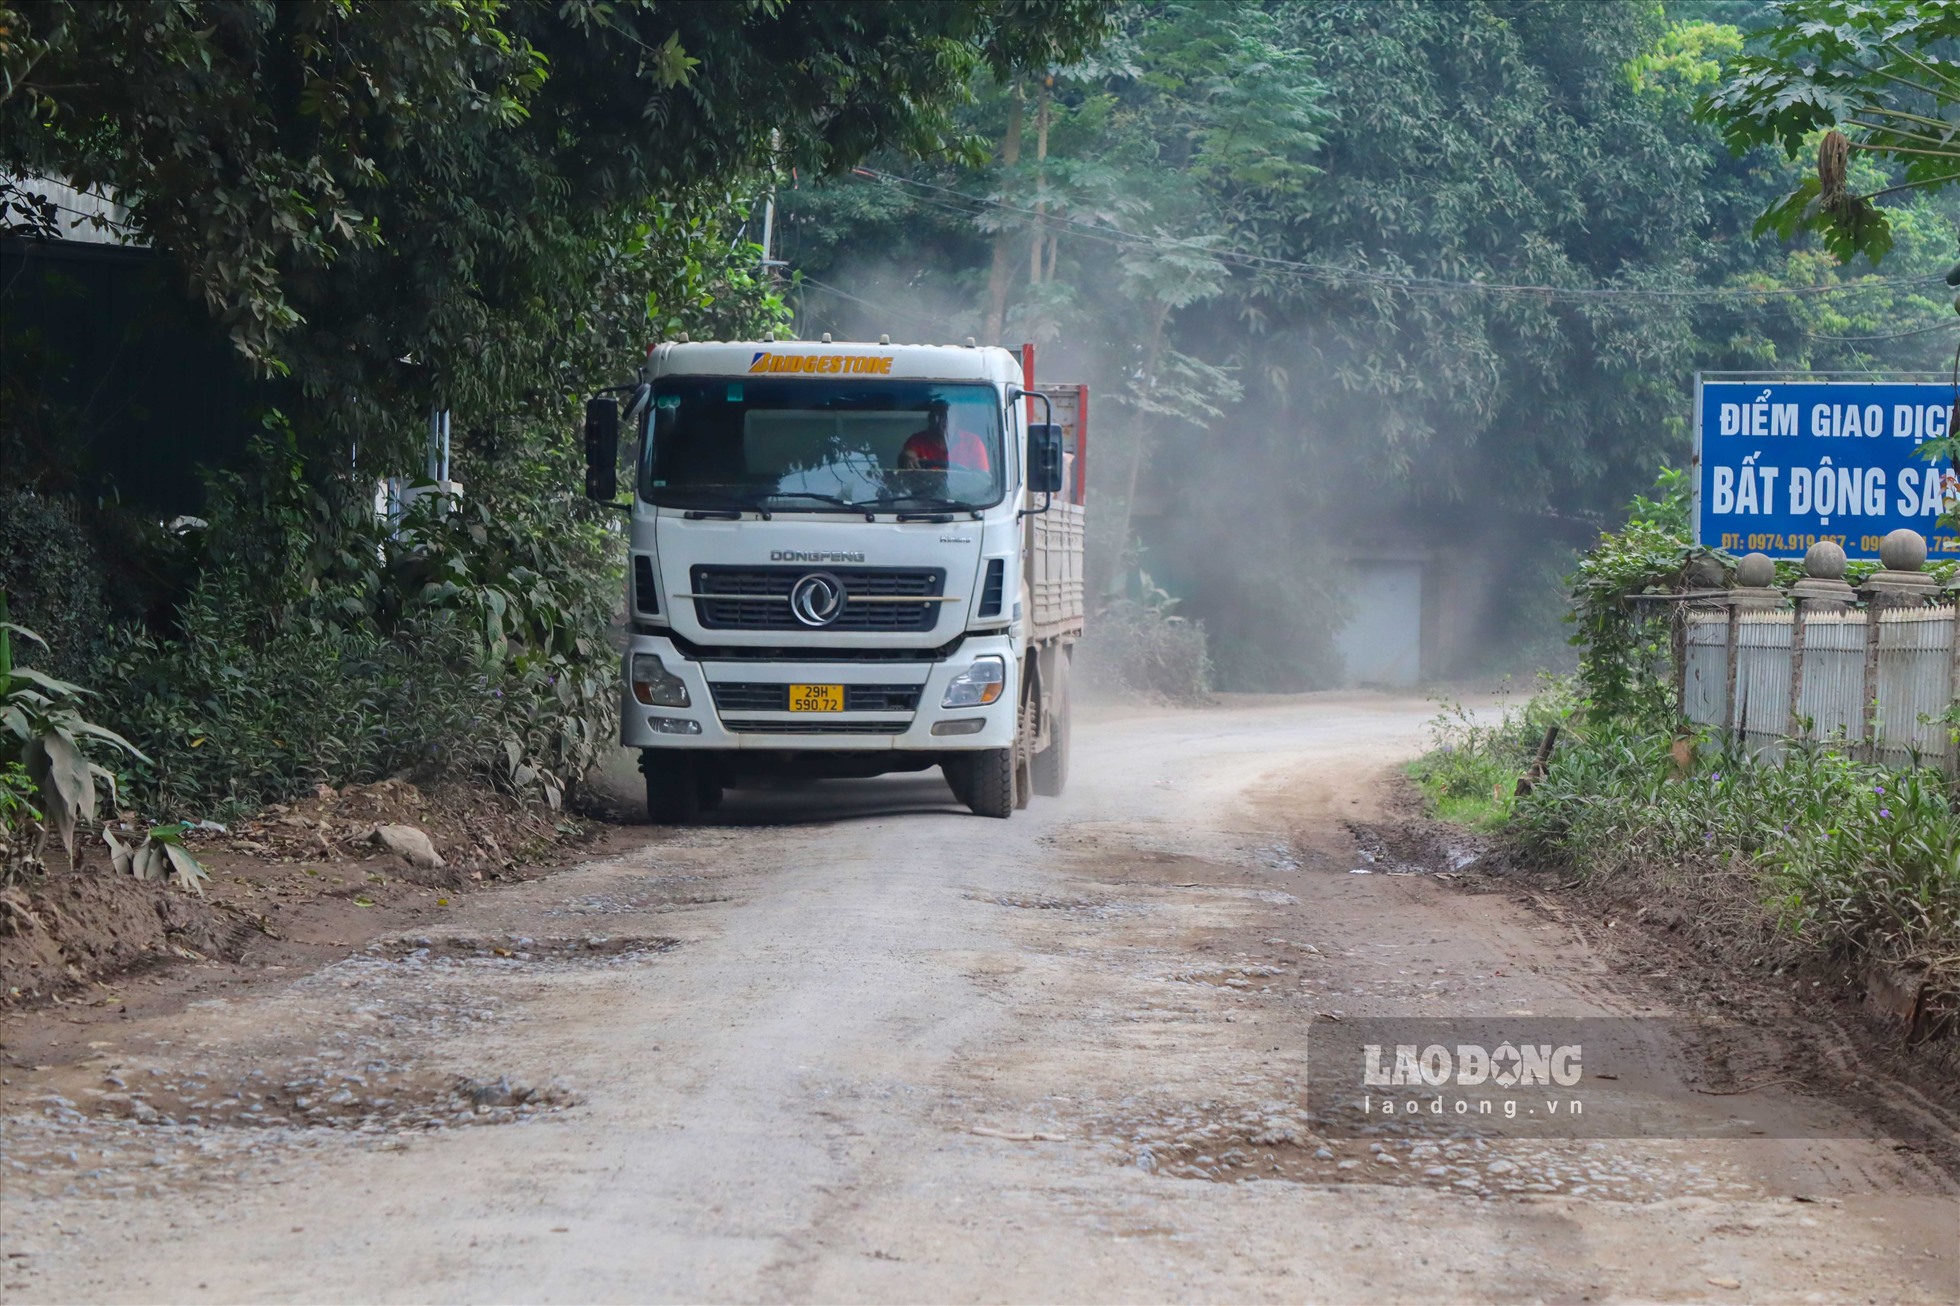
{"points": [[822, 446]]}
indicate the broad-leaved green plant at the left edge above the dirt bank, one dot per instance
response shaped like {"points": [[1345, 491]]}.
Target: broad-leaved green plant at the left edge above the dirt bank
{"points": [[42, 728]]}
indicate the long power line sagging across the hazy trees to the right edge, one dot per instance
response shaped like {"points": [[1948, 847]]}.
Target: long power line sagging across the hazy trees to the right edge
{"points": [[1336, 274]]}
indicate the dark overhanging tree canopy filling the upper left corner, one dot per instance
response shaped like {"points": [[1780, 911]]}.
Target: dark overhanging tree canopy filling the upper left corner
{"points": [[420, 203]]}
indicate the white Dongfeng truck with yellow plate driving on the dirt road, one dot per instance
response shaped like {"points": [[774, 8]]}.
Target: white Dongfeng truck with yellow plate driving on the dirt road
{"points": [[848, 560]]}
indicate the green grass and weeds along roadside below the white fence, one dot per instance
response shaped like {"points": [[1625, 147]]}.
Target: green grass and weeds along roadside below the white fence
{"points": [[1834, 858]]}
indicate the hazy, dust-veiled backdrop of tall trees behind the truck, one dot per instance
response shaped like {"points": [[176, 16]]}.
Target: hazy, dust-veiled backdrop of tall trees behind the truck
{"points": [[1379, 301]]}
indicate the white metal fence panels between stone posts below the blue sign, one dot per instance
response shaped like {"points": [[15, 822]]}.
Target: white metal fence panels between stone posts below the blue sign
{"points": [[1875, 687]]}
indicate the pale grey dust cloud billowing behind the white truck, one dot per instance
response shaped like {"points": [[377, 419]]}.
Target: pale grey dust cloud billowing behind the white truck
{"points": [[1244, 530]]}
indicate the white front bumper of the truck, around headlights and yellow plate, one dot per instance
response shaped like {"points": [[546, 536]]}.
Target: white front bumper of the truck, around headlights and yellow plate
{"points": [[857, 732]]}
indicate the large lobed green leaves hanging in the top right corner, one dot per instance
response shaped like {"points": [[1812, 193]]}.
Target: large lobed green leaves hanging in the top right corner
{"points": [[1885, 74]]}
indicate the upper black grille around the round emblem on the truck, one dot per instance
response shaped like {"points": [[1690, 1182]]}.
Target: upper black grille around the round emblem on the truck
{"points": [[759, 597]]}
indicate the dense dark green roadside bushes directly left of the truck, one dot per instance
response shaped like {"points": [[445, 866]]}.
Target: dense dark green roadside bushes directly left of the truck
{"points": [[326, 646]]}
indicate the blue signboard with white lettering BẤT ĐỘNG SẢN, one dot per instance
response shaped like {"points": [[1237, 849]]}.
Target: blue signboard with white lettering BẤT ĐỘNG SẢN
{"points": [[1787, 464]]}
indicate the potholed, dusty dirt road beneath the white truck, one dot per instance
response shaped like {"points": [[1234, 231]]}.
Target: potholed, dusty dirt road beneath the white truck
{"points": [[852, 1044]]}
